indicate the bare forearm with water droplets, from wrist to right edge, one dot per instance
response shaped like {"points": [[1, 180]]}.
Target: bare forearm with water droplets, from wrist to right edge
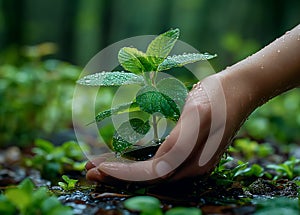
{"points": [[268, 73]]}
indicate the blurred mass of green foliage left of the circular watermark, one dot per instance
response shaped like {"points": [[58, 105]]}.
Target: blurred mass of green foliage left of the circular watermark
{"points": [[32, 92]]}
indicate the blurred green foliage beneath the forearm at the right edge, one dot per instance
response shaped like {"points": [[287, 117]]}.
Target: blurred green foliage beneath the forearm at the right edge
{"points": [[278, 120]]}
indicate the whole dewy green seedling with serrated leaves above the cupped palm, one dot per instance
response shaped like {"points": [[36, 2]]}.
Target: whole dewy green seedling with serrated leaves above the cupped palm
{"points": [[156, 99]]}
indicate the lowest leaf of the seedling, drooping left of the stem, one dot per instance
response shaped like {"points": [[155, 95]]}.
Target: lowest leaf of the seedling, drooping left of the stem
{"points": [[129, 133]]}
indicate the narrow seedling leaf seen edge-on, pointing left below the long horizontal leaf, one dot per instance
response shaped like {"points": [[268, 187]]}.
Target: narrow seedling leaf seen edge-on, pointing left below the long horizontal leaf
{"points": [[128, 107]]}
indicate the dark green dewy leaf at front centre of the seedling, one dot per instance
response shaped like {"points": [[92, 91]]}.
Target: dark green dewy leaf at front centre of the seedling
{"points": [[152, 101]]}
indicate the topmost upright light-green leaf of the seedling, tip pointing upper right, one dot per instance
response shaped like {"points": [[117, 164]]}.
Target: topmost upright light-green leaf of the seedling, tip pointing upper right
{"points": [[161, 46]]}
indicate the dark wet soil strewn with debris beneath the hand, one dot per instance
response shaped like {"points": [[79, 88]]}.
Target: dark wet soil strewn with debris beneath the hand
{"points": [[206, 193]]}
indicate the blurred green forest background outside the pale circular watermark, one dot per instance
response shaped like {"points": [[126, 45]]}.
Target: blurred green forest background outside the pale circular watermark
{"points": [[44, 45]]}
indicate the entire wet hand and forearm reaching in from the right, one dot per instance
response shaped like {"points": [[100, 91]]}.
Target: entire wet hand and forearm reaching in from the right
{"points": [[243, 87]]}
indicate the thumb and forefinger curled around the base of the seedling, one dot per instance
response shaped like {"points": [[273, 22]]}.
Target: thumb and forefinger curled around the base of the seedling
{"points": [[173, 152]]}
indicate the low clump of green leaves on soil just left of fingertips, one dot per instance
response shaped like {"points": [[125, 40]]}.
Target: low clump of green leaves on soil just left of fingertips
{"points": [[54, 160]]}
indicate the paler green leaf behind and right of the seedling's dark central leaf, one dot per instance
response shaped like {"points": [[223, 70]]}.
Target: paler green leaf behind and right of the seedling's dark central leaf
{"points": [[174, 89]]}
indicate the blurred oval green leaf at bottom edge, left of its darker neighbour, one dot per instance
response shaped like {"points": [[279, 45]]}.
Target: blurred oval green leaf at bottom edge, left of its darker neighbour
{"points": [[144, 204]]}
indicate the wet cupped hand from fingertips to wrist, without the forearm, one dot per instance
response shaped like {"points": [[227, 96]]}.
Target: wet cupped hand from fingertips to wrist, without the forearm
{"points": [[193, 147]]}
